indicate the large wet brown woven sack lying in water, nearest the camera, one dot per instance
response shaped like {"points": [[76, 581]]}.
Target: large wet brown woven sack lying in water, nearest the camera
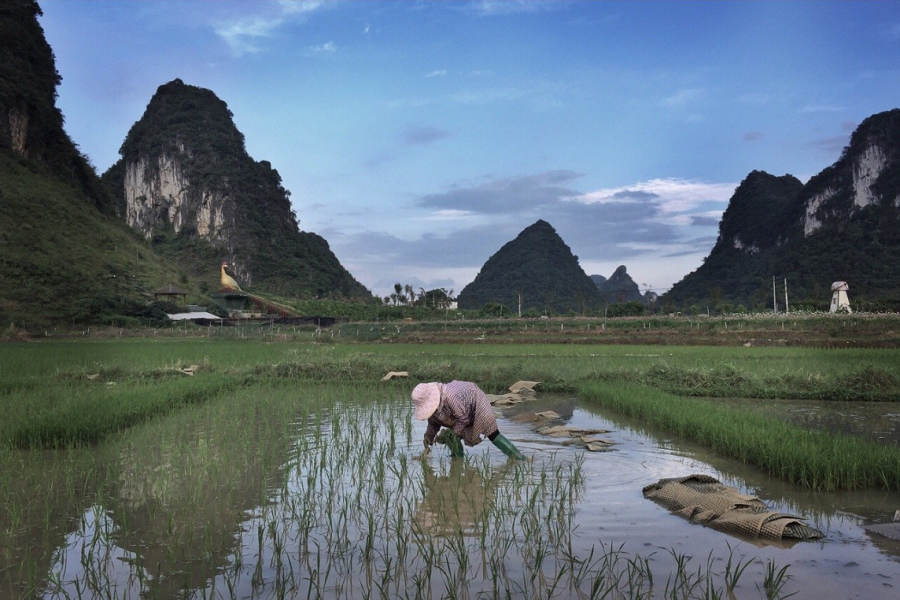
{"points": [[703, 499]]}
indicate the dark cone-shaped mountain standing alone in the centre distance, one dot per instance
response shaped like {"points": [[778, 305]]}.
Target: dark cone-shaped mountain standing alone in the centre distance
{"points": [[538, 267]]}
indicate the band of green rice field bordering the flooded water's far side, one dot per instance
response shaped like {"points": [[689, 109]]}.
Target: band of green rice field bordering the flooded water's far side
{"points": [[58, 394]]}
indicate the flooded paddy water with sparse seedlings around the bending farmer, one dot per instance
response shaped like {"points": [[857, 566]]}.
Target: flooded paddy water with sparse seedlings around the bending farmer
{"points": [[256, 498]]}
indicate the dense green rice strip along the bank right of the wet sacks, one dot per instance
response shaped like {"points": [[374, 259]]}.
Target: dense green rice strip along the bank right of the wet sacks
{"points": [[813, 459]]}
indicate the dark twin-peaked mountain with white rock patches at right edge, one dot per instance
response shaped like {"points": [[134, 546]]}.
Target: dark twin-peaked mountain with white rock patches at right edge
{"points": [[842, 225]]}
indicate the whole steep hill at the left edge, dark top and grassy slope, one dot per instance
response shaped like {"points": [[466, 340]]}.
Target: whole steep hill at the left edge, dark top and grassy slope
{"points": [[64, 258]]}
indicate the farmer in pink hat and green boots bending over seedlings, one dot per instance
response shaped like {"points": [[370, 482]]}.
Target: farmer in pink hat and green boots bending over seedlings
{"points": [[464, 410]]}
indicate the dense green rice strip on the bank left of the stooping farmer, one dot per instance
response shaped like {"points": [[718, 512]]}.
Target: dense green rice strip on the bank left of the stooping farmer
{"points": [[84, 419]]}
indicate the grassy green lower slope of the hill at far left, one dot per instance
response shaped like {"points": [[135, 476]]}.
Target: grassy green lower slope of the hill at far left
{"points": [[62, 260]]}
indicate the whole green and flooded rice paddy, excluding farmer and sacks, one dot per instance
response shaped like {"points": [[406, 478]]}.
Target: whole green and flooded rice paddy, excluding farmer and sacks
{"points": [[285, 468]]}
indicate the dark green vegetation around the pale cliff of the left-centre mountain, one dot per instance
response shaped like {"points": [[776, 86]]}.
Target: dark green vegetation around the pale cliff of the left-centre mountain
{"points": [[194, 125]]}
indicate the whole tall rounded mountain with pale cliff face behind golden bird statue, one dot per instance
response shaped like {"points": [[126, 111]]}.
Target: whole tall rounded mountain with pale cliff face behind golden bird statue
{"points": [[186, 182]]}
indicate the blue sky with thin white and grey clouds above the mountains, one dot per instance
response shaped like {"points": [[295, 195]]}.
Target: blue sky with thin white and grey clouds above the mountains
{"points": [[420, 137]]}
